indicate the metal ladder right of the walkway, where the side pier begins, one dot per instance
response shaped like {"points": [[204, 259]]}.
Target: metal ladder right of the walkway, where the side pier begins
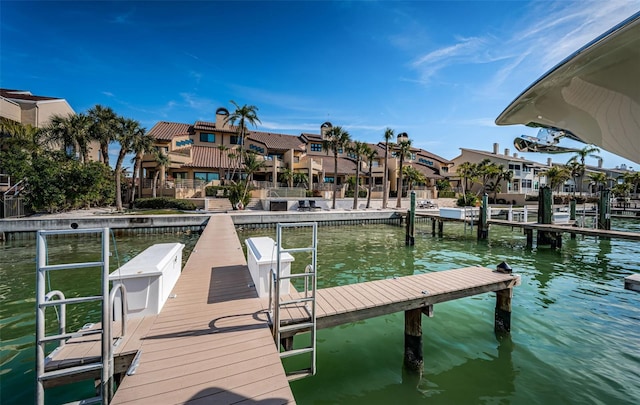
{"points": [[308, 300]]}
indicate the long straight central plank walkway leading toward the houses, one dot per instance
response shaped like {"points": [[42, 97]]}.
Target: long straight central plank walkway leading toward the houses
{"points": [[212, 343]]}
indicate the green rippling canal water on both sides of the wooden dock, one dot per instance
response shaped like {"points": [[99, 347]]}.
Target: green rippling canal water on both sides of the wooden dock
{"points": [[575, 331]]}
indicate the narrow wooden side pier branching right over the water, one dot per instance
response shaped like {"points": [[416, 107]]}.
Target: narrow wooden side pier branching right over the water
{"points": [[356, 302]]}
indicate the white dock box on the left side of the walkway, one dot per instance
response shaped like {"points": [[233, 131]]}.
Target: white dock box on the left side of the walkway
{"points": [[149, 278]]}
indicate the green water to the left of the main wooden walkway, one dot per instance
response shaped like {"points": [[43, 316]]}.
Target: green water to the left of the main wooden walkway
{"points": [[17, 305]]}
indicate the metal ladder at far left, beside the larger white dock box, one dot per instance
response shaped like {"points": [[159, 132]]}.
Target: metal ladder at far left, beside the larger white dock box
{"points": [[44, 300]]}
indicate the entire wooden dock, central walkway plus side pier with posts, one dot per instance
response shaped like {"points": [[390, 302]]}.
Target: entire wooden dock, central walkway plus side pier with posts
{"points": [[212, 342]]}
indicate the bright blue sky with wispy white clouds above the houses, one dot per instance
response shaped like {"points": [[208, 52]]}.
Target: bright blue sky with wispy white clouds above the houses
{"points": [[440, 71]]}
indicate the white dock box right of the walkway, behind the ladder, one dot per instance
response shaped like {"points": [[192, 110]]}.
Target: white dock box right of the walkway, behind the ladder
{"points": [[261, 258]]}
